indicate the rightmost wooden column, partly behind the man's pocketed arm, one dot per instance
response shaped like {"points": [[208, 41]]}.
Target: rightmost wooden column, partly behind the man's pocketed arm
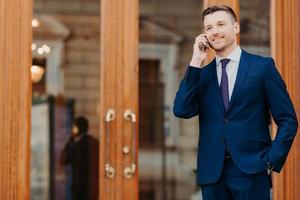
{"points": [[285, 41]]}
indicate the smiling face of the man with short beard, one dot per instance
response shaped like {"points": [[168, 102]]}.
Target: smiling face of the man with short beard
{"points": [[220, 30]]}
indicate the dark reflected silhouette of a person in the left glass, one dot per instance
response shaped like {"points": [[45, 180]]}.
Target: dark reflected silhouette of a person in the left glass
{"points": [[81, 152]]}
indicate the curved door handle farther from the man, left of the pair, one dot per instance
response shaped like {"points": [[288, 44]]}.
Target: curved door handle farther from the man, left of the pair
{"points": [[109, 169]]}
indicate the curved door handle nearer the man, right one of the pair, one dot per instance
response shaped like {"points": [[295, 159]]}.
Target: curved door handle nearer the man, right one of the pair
{"points": [[130, 170]]}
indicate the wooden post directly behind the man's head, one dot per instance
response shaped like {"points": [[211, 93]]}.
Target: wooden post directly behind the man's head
{"points": [[234, 4]]}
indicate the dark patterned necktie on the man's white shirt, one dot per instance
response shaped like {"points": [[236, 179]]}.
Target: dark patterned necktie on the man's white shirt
{"points": [[224, 84]]}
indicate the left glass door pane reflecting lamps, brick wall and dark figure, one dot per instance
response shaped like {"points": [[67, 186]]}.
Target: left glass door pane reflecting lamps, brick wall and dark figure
{"points": [[65, 84]]}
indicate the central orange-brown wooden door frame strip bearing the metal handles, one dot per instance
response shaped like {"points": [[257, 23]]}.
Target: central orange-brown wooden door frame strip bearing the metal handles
{"points": [[119, 91]]}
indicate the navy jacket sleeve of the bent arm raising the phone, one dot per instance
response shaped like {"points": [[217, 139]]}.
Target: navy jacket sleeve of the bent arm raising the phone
{"points": [[186, 101]]}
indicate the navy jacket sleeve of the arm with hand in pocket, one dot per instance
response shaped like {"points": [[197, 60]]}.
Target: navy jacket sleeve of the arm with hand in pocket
{"points": [[283, 114]]}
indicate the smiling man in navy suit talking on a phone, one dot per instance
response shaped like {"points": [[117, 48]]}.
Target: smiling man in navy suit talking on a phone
{"points": [[233, 97]]}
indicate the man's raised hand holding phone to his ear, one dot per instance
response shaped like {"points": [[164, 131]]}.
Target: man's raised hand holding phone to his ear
{"points": [[200, 51]]}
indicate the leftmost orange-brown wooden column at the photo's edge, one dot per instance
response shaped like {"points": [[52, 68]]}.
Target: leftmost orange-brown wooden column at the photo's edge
{"points": [[15, 98]]}
